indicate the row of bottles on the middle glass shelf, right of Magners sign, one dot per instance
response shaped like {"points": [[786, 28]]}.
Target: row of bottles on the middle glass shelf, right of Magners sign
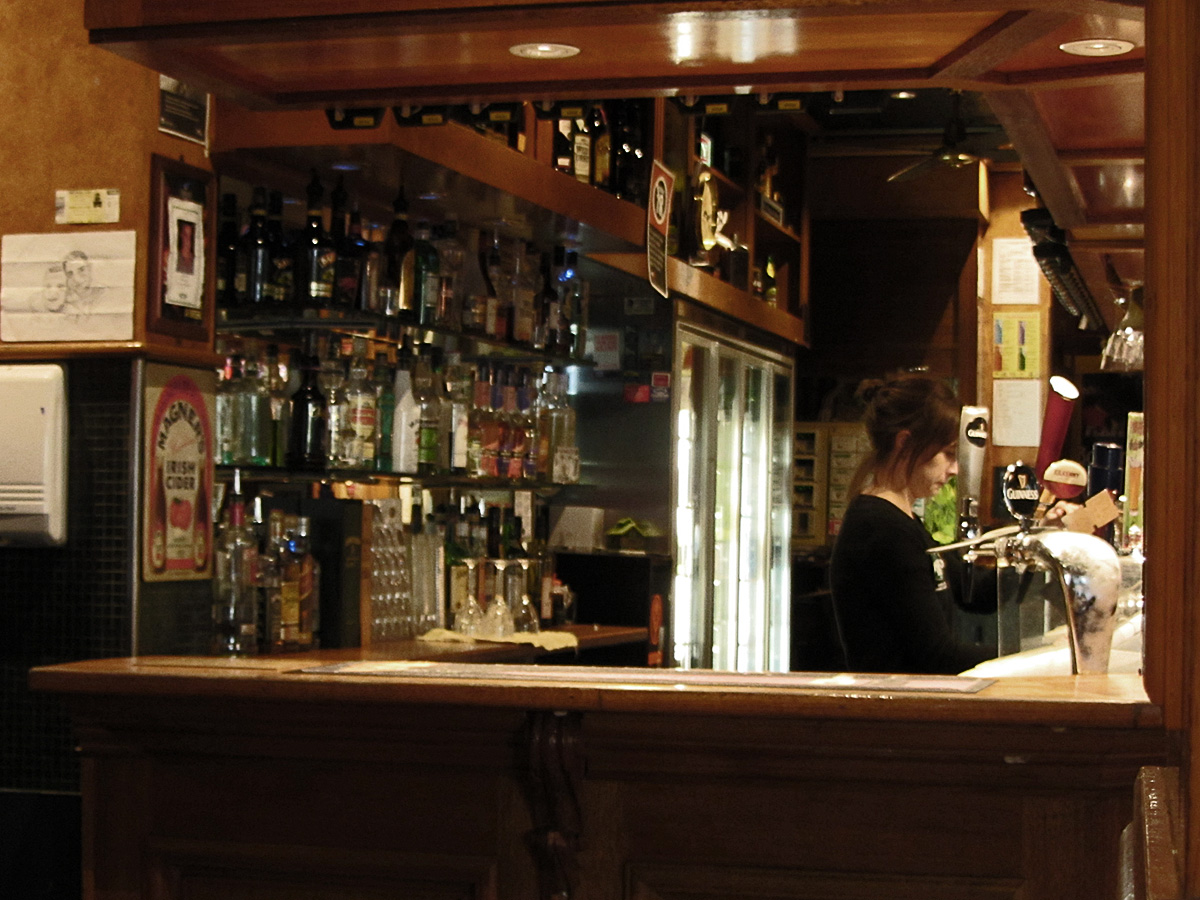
{"points": [[422, 413]]}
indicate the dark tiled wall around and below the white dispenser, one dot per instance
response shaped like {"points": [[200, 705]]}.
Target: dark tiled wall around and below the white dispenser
{"points": [[75, 602]]}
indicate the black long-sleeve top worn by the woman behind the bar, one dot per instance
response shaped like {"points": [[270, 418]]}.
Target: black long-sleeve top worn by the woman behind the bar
{"points": [[895, 599]]}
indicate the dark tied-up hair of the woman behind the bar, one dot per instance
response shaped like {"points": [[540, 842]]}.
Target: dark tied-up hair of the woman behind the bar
{"points": [[919, 404]]}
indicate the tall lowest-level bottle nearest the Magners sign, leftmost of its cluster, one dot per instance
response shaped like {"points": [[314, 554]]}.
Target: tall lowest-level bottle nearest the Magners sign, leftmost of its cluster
{"points": [[236, 596]]}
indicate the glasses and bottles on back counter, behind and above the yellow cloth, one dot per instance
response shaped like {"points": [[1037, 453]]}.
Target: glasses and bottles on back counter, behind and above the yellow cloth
{"points": [[472, 568]]}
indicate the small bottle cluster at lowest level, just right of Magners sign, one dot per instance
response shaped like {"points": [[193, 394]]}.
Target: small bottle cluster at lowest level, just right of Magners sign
{"points": [[267, 583]]}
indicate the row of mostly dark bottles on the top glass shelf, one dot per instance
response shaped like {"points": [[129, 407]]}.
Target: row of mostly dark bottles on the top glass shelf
{"points": [[466, 281]]}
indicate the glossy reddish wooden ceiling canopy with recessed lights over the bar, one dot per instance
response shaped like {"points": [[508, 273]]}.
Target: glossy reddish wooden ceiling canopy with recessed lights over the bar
{"points": [[1077, 123]]}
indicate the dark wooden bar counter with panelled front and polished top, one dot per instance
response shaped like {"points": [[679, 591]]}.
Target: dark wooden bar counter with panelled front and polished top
{"points": [[340, 776]]}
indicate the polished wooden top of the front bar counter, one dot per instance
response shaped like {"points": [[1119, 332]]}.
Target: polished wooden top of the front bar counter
{"points": [[465, 675]]}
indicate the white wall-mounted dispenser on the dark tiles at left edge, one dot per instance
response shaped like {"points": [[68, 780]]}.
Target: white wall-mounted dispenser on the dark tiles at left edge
{"points": [[33, 455]]}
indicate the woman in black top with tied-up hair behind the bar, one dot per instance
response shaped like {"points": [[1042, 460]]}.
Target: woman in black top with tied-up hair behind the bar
{"points": [[893, 599]]}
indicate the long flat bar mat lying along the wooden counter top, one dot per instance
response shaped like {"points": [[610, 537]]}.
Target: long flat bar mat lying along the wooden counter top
{"points": [[649, 677]]}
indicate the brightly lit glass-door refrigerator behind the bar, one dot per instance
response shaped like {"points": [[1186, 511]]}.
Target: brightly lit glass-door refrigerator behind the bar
{"points": [[731, 499]]}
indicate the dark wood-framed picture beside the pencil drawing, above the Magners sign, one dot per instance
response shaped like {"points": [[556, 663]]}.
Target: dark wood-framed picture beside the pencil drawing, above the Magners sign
{"points": [[182, 233]]}
